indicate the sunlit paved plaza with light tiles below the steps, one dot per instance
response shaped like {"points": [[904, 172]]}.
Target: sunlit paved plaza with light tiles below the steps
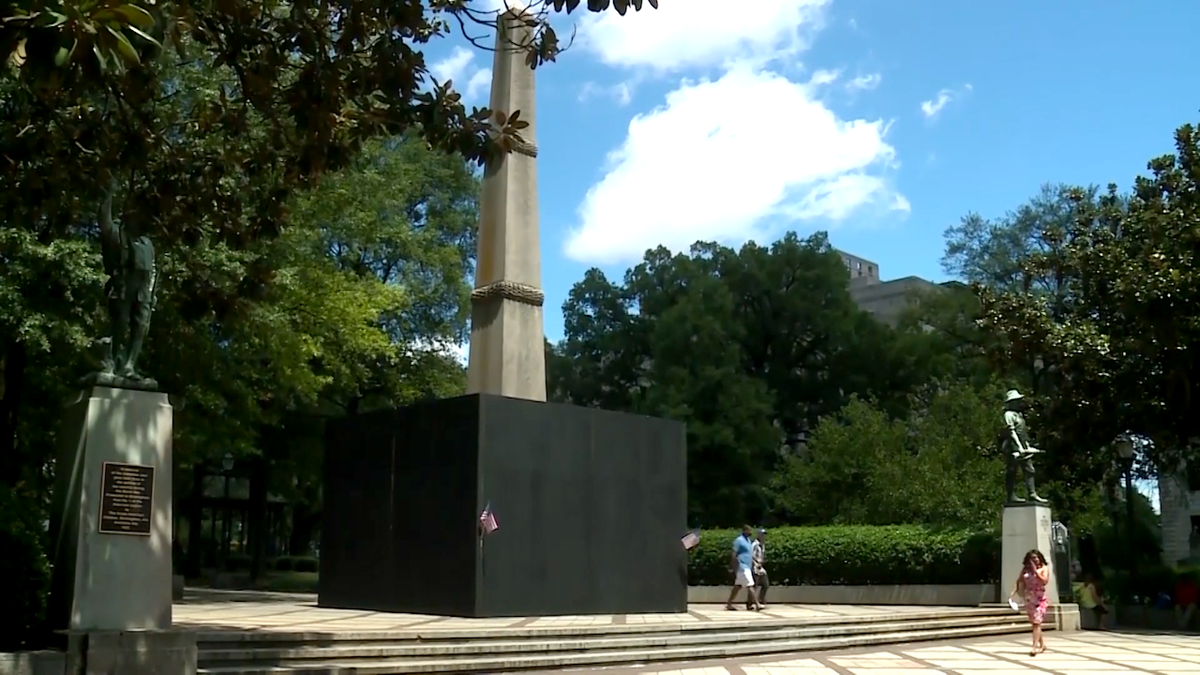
{"points": [[1070, 654]]}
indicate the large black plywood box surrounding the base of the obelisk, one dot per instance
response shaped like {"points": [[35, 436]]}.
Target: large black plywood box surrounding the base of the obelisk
{"points": [[591, 507]]}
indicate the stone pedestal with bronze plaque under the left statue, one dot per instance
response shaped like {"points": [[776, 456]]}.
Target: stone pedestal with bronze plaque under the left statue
{"points": [[111, 525]]}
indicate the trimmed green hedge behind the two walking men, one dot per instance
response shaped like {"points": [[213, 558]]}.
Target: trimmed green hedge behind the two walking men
{"points": [[856, 557]]}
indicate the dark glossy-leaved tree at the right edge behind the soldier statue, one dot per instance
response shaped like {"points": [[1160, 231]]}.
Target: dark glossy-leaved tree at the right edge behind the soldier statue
{"points": [[1120, 341]]}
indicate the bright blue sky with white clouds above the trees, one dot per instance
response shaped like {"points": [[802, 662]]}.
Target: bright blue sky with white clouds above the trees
{"points": [[881, 123]]}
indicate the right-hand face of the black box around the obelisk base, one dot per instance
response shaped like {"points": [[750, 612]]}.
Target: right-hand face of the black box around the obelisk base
{"points": [[605, 500]]}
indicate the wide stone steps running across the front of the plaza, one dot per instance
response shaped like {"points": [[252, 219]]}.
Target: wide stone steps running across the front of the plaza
{"points": [[530, 649]]}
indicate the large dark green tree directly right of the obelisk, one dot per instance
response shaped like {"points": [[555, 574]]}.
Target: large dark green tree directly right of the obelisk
{"points": [[749, 347]]}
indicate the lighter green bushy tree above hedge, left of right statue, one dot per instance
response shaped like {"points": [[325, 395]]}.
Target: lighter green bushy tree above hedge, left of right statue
{"points": [[865, 468]]}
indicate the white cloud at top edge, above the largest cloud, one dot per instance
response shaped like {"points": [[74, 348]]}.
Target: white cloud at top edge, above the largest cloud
{"points": [[691, 34]]}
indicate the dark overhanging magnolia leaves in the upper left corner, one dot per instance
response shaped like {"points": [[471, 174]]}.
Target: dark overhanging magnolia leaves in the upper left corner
{"points": [[88, 85]]}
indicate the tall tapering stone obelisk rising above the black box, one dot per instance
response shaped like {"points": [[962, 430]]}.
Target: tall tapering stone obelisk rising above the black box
{"points": [[507, 339]]}
